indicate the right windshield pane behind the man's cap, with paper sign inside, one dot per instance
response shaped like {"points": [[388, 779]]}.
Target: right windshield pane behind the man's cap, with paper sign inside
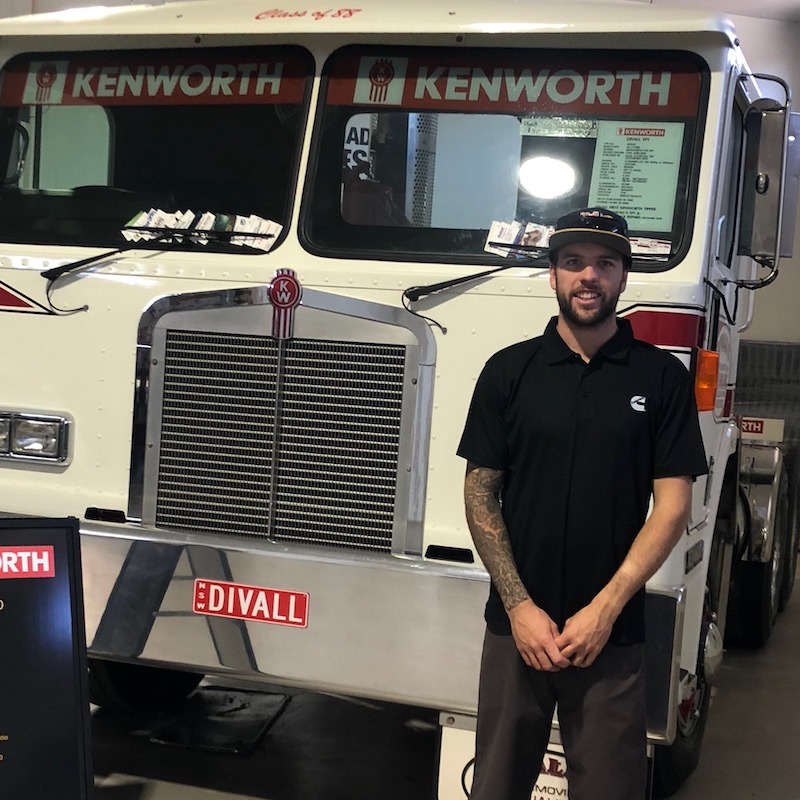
{"points": [[438, 154]]}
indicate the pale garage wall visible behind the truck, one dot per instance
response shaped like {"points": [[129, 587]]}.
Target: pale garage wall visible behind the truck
{"points": [[771, 47]]}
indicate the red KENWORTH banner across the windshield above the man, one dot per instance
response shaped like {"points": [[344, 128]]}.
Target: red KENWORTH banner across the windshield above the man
{"points": [[526, 82]]}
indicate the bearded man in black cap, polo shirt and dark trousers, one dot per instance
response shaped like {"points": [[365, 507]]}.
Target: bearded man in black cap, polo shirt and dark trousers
{"points": [[567, 437]]}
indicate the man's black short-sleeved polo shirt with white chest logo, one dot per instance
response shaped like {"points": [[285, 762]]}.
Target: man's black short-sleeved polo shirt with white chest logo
{"points": [[580, 445]]}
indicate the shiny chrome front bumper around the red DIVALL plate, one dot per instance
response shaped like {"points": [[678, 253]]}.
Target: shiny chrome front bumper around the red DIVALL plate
{"points": [[388, 628]]}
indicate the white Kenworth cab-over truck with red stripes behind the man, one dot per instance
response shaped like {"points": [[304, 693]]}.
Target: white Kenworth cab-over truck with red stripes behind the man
{"points": [[252, 260]]}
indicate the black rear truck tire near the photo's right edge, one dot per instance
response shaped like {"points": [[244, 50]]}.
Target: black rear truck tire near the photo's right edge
{"points": [[755, 592]]}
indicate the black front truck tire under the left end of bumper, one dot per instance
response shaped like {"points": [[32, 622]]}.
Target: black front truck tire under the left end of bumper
{"points": [[135, 688]]}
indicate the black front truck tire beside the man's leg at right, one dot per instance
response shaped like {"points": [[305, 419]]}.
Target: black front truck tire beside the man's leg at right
{"points": [[673, 764]]}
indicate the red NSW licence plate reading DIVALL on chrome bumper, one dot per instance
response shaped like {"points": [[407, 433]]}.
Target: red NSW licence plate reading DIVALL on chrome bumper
{"points": [[259, 604]]}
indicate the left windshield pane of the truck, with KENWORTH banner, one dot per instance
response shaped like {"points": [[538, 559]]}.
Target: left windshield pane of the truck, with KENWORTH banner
{"points": [[90, 141]]}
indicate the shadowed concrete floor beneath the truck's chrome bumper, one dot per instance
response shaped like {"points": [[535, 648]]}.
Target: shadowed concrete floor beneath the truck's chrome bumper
{"points": [[320, 748]]}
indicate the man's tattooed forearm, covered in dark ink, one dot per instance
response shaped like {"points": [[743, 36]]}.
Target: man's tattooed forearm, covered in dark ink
{"points": [[485, 520]]}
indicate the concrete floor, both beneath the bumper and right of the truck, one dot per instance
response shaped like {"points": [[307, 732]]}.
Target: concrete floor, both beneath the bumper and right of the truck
{"points": [[331, 748]]}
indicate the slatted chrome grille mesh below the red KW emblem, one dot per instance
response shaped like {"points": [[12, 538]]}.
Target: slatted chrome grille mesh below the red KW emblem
{"points": [[297, 441]]}
